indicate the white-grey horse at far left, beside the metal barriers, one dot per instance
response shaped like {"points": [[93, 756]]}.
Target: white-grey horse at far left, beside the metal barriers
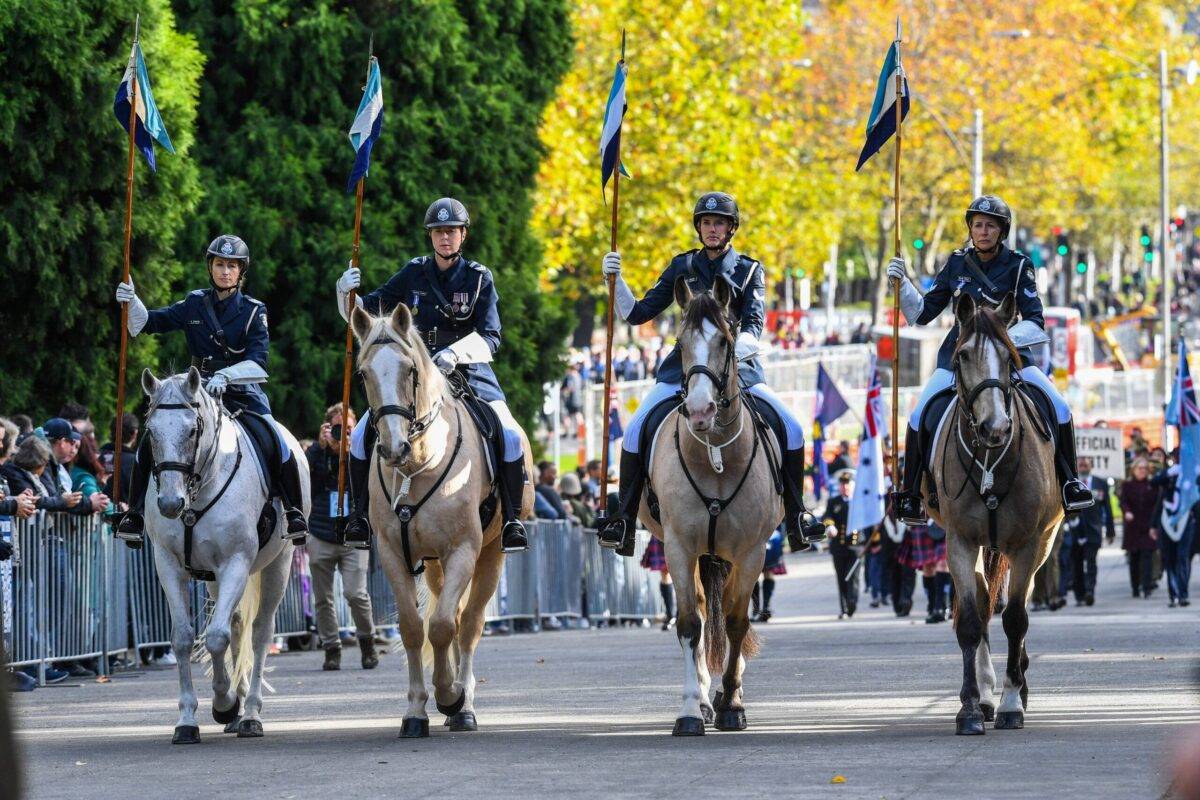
{"points": [[206, 472]]}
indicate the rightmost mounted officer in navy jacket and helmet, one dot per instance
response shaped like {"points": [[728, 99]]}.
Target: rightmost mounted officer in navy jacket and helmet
{"points": [[987, 270]]}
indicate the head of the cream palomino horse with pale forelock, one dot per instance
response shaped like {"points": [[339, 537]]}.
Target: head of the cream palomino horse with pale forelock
{"points": [[403, 383]]}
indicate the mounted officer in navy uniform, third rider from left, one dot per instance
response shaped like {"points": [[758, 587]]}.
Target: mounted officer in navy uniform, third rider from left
{"points": [[716, 220]]}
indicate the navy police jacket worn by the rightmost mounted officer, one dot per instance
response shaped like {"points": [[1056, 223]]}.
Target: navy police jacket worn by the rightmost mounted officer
{"points": [[1007, 272]]}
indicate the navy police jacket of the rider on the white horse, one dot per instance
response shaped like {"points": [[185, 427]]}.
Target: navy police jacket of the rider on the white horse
{"points": [[220, 334]]}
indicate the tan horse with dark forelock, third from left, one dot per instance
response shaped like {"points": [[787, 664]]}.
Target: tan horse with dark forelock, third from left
{"points": [[718, 515]]}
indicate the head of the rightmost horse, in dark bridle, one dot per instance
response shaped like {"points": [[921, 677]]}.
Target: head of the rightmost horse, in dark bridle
{"points": [[985, 362]]}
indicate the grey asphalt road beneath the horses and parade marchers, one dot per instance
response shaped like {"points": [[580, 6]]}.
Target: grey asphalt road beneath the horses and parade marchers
{"points": [[589, 714]]}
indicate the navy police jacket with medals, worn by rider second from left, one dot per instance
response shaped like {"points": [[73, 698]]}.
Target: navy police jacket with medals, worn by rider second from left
{"points": [[447, 306]]}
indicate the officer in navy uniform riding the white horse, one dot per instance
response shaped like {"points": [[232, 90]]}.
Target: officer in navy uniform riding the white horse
{"points": [[229, 341]]}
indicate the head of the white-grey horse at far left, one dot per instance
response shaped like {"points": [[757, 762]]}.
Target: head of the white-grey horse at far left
{"points": [[182, 425]]}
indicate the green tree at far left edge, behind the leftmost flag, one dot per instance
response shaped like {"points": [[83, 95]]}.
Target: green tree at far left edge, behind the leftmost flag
{"points": [[63, 166]]}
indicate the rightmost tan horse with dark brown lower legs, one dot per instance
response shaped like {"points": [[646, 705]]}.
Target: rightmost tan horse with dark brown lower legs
{"points": [[994, 473]]}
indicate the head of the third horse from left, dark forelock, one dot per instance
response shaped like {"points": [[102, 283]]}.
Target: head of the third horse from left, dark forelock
{"points": [[706, 346]]}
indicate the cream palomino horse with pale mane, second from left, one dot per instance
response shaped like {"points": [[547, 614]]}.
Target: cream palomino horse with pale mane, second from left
{"points": [[429, 478]]}
